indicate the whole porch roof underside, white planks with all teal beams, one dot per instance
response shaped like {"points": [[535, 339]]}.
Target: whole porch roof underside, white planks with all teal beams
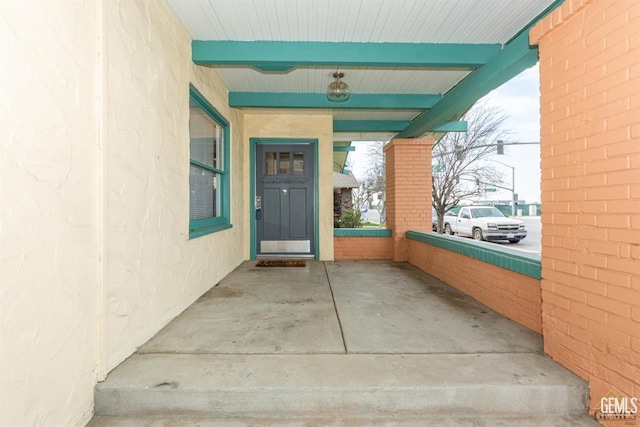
{"points": [[414, 85]]}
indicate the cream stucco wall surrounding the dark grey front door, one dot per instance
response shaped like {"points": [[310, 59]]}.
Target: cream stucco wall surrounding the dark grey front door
{"points": [[311, 125]]}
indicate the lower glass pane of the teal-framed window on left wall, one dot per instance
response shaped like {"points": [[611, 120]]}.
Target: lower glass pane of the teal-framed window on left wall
{"points": [[204, 194]]}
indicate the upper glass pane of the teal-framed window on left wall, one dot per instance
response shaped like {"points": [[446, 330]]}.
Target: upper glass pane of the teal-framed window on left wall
{"points": [[205, 138]]}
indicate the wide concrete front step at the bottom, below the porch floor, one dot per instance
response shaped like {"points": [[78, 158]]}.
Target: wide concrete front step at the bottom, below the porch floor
{"points": [[341, 386]]}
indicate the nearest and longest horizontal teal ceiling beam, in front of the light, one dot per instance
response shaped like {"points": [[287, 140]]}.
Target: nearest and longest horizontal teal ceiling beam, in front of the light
{"points": [[279, 56]]}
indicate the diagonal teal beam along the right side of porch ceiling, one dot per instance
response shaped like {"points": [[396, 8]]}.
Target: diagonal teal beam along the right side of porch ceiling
{"points": [[516, 57]]}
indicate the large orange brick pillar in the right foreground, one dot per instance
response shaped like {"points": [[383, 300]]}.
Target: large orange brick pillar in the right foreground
{"points": [[590, 149]]}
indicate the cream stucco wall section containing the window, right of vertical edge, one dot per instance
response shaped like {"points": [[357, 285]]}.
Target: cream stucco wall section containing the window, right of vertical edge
{"points": [[153, 270]]}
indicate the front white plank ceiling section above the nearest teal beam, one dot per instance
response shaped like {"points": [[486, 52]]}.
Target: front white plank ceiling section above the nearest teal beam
{"points": [[377, 21]]}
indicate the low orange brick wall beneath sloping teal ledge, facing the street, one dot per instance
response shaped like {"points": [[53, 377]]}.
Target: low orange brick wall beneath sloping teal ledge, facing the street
{"points": [[512, 294]]}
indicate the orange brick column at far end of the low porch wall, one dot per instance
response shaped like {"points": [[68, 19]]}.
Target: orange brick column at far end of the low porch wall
{"points": [[408, 167]]}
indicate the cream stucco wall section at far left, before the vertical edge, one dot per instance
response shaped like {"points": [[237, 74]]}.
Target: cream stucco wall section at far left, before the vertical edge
{"points": [[48, 222]]}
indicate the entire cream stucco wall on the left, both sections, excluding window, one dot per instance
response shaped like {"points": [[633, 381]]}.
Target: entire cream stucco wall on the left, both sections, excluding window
{"points": [[94, 196]]}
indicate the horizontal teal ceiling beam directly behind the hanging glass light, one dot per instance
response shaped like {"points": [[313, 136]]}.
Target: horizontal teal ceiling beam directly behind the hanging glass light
{"points": [[319, 100]]}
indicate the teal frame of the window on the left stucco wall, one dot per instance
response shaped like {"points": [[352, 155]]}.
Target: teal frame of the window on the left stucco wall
{"points": [[201, 227]]}
